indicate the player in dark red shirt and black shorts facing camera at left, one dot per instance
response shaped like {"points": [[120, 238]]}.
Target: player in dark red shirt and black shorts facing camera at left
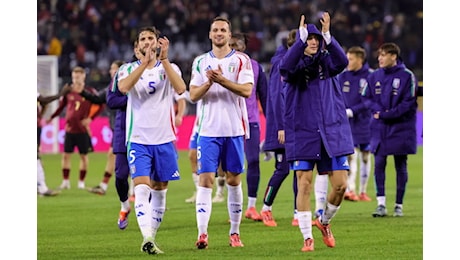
{"points": [[78, 119]]}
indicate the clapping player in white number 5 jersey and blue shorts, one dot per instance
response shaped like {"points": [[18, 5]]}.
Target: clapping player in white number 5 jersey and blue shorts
{"points": [[150, 84]]}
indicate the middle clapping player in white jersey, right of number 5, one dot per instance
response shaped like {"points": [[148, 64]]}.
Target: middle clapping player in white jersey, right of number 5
{"points": [[221, 78]]}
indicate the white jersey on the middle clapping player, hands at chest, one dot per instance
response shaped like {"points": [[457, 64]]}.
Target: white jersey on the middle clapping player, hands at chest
{"points": [[223, 113]]}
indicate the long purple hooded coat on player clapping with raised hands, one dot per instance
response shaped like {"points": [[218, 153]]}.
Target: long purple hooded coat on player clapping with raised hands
{"points": [[315, 110]]}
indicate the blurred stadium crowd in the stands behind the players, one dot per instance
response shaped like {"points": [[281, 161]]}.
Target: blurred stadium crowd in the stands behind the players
{"points": [[93, 33]]}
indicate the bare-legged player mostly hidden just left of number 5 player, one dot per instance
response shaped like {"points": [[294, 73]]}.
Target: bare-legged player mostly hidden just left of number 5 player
{"points": [[101, 98]]}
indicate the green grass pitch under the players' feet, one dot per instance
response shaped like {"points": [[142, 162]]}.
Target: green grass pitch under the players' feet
{"points": [[81, 225]]}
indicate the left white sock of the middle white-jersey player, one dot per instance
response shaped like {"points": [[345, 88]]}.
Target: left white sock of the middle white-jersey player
{"points": [[203, 206]]}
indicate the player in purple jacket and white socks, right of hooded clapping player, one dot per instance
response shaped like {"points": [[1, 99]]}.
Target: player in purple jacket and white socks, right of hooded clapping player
{"points": [[352, 81]]}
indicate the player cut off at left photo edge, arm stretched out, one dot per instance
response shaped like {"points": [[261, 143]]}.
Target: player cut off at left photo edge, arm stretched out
{"points": [[42, 102]]}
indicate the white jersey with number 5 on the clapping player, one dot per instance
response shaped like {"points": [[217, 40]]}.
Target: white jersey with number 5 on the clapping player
{"points": [[150, 108]]}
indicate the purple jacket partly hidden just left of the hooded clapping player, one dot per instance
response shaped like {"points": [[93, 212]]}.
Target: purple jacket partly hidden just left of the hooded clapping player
{"points": [[275, 103]]}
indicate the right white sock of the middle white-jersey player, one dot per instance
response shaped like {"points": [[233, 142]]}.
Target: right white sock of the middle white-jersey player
{"points": [[235, 207]]}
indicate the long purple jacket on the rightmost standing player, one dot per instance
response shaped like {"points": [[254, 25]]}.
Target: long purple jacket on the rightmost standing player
{"points": [[393, 92]]}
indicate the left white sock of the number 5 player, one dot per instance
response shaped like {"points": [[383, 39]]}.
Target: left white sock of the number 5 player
{"points": [[143, 209]]}
